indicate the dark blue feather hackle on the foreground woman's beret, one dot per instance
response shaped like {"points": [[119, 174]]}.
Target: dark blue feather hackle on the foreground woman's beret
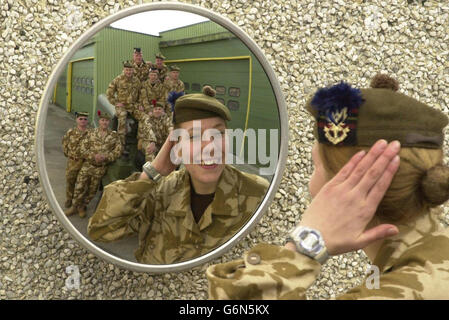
{"points": [[337, 97]]}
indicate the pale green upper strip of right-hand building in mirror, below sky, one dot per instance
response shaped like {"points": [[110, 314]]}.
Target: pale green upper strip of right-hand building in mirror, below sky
{"points": [[195, 30]]}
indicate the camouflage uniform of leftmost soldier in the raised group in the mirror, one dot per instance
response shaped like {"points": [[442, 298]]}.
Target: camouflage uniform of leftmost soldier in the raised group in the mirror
{"points": [[124, 90]]}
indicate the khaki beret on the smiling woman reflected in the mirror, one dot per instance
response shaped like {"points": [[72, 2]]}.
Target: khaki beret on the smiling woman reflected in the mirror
{"points": [[197, 106]]}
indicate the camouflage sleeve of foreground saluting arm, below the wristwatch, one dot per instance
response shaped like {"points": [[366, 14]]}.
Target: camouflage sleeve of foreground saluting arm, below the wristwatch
{"points": [[266, 272]]}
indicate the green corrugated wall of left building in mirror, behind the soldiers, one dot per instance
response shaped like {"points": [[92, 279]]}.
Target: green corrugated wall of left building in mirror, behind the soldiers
{"points": [[114, 46]]}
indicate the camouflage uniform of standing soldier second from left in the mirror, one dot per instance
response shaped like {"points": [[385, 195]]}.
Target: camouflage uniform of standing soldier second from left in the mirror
{"points": [[91, 172]]}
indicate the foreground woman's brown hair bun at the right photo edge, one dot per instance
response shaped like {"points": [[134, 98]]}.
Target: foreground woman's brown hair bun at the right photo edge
{"points": [[435, 185]]}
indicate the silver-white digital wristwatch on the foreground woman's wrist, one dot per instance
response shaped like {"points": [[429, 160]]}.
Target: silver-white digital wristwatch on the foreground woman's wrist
{"points": [[309, 241]]}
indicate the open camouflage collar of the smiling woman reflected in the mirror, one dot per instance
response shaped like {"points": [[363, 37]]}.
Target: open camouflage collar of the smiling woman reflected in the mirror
{"points": [[225, 201]]}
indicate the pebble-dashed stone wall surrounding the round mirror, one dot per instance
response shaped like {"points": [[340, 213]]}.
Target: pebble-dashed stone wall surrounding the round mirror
{"points": [[308, 44]]}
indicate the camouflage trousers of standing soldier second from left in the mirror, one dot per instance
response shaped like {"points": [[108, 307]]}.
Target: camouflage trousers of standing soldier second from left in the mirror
{"points": [[87, 183]]}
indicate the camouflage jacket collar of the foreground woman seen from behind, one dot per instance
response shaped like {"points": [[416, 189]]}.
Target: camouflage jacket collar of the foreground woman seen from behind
{"points": [[409, 233]]}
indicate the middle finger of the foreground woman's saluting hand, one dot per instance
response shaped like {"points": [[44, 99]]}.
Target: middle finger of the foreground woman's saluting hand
{"points": [[378, 168]]}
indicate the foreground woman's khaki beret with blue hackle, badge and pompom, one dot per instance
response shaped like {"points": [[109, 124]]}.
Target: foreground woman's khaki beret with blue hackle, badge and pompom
{"points": [[347, 116]]}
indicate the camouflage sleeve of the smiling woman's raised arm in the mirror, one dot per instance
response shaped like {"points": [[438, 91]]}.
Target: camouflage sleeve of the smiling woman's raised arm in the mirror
{"points": [[124, 206]]}
